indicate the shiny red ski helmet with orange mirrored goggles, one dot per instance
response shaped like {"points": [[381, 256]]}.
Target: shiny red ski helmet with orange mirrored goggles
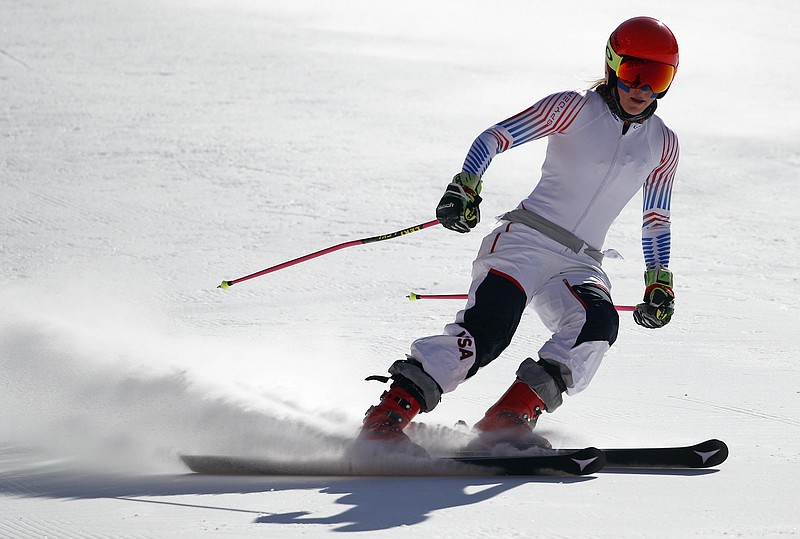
{"points": [[643, 38]]}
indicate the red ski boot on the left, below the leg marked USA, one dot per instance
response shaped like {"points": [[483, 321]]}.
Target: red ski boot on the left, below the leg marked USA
{"points": [[385, 422]]}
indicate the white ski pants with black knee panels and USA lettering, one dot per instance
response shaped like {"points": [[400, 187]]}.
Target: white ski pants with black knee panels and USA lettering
{"points": [[554, 281]]}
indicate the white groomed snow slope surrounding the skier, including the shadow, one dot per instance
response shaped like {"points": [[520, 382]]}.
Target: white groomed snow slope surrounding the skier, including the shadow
{"points": [[151, 149]]}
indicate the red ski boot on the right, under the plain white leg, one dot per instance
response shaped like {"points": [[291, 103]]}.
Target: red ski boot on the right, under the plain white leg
{"points": [[511, 419]]}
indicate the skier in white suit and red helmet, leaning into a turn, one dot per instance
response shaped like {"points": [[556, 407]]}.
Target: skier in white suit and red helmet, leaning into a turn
{"points": [[604, 144]]}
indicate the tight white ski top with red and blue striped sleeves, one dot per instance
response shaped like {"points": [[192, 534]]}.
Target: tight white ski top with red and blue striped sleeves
{"points": [[591, 169]]}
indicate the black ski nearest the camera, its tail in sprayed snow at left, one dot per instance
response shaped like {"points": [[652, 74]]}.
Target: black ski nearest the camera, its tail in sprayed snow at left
{"points": [[570, 462]]}
